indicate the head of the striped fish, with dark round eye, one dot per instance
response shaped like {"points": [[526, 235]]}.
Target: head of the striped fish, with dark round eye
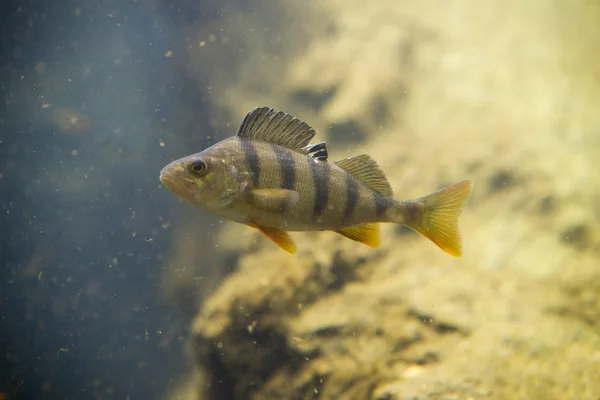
{"points": [[203, 179]]}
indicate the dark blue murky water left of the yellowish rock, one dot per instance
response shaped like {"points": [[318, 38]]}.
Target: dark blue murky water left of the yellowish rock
{"points": [[88, 92]]}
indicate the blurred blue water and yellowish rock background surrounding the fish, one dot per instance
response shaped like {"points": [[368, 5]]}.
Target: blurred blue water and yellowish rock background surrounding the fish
{"points": [[112, 288]]}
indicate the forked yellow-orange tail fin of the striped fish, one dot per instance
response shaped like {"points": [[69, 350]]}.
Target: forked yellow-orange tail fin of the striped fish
{"points": [[439, 216]]}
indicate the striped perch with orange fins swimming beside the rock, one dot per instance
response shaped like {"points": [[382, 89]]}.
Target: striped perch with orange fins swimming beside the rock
{"points": [[270, 177]]}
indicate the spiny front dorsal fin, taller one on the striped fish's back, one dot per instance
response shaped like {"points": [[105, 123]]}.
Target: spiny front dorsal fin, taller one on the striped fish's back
{"points": [[276, 127]]}
